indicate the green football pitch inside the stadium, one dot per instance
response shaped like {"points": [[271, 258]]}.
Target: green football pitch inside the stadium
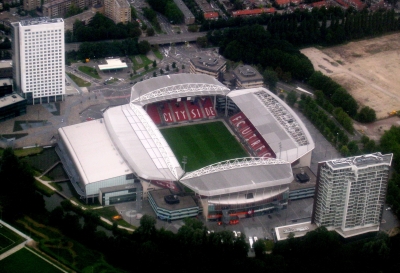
{"points": [[203, 144]]}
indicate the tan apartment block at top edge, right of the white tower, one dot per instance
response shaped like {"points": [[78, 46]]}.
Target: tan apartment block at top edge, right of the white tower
{"points": [[117, 10]]}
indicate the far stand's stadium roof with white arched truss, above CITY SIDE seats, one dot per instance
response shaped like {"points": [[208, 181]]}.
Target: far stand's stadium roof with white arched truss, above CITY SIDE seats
{"points": [[175, 86]]}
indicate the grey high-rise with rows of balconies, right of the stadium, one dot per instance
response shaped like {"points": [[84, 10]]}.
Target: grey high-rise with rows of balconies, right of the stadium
{"points": [[350, 193]]}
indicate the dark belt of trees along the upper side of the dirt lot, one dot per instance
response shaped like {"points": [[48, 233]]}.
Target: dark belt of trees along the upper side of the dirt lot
{"points": [[326, 26]]}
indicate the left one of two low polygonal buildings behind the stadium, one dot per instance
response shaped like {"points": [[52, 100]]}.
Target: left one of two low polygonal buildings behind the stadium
{"points": [[209, 65]]}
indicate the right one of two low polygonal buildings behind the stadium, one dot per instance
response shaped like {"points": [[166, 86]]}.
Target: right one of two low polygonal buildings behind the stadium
{"points": [[247, 77]]}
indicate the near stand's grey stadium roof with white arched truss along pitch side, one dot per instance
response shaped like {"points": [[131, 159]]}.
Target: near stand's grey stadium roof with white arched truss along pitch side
{"points": [[238, 175]]}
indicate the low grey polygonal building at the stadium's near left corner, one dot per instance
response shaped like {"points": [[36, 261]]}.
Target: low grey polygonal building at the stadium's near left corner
{"points": [[182, 207]]}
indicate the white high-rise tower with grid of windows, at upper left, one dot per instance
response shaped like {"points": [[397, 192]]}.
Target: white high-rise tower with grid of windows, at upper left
{"points": [[39, 59]]}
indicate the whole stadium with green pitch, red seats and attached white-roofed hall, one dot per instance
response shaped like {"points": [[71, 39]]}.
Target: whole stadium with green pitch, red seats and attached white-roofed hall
{"points": [[189, 145]]}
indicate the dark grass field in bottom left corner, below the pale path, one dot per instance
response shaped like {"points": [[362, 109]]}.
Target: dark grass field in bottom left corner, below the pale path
{"points": [[25, 261]]}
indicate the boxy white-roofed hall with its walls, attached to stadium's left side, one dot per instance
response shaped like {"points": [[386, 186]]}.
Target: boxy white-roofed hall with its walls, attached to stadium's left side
{"points": [[96, 162]]}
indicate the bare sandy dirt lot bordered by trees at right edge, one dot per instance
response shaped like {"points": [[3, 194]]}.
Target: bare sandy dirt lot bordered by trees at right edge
{"points": [[368, 69]]}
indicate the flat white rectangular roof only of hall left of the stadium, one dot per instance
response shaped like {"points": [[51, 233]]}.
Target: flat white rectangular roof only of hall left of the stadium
{"points": [[93, 152]]}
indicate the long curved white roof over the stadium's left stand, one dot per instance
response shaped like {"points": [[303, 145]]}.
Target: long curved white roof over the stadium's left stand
{"points": [[141, 143]]}
